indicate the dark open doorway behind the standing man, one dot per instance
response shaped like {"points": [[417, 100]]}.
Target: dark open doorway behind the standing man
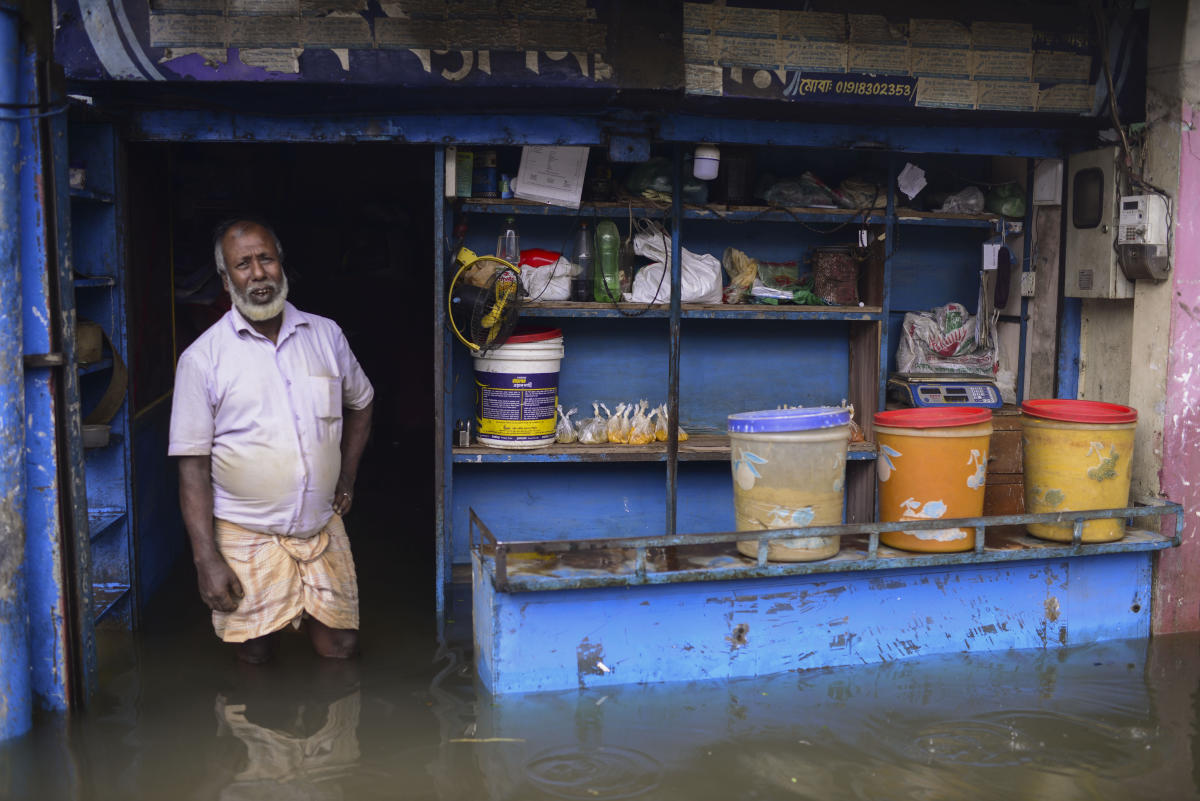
{"points": [[356, 222]]}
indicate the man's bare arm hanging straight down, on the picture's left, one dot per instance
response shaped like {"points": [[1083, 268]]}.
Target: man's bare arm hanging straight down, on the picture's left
{"points": [[219, 586]]}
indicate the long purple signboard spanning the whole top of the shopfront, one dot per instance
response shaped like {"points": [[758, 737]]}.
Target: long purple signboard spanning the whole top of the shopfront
{"points": [[1037, 59]]}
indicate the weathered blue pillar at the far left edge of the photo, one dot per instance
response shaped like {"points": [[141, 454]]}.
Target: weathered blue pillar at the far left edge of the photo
{"points": [[16, 701]]}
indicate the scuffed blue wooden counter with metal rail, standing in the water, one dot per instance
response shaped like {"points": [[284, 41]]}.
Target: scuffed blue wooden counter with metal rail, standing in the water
{"points": [[689, 609]]}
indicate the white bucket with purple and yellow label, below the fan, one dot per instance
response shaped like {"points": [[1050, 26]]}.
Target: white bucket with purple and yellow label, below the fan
{"points": [[517, 390]]}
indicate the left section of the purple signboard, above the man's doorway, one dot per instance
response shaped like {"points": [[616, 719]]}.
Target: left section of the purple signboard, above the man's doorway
{"points": [[412, 44]]}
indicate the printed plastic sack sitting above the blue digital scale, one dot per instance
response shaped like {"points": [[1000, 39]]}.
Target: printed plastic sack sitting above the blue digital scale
{"points": [[943, 341]]}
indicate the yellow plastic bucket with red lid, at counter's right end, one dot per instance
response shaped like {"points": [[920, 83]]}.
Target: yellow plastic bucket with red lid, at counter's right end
{"points": [[1077, 459]]}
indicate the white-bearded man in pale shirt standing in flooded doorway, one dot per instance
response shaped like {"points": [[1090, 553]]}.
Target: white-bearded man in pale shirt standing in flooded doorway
{"points": [[269, 420]]}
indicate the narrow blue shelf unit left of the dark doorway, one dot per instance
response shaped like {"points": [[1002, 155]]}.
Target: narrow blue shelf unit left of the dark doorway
{"points": [[98, 255]]}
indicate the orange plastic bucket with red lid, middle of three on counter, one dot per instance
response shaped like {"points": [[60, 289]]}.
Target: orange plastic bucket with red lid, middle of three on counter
{"points": [[933, 465]]}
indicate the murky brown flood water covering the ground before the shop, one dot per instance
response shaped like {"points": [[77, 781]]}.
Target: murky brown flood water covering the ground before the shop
{"points": [[178, 719]]}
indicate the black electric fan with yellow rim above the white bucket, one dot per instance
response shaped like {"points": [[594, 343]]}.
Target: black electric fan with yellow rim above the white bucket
{"points": [[484, 300]]}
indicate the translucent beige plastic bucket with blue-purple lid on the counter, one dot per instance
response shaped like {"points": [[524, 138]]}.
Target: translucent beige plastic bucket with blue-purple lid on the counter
{"points": [[790, 472]]}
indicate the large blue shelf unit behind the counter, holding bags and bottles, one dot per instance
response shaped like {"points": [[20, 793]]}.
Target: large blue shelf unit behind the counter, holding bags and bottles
{"points": [[731, 358]]}
